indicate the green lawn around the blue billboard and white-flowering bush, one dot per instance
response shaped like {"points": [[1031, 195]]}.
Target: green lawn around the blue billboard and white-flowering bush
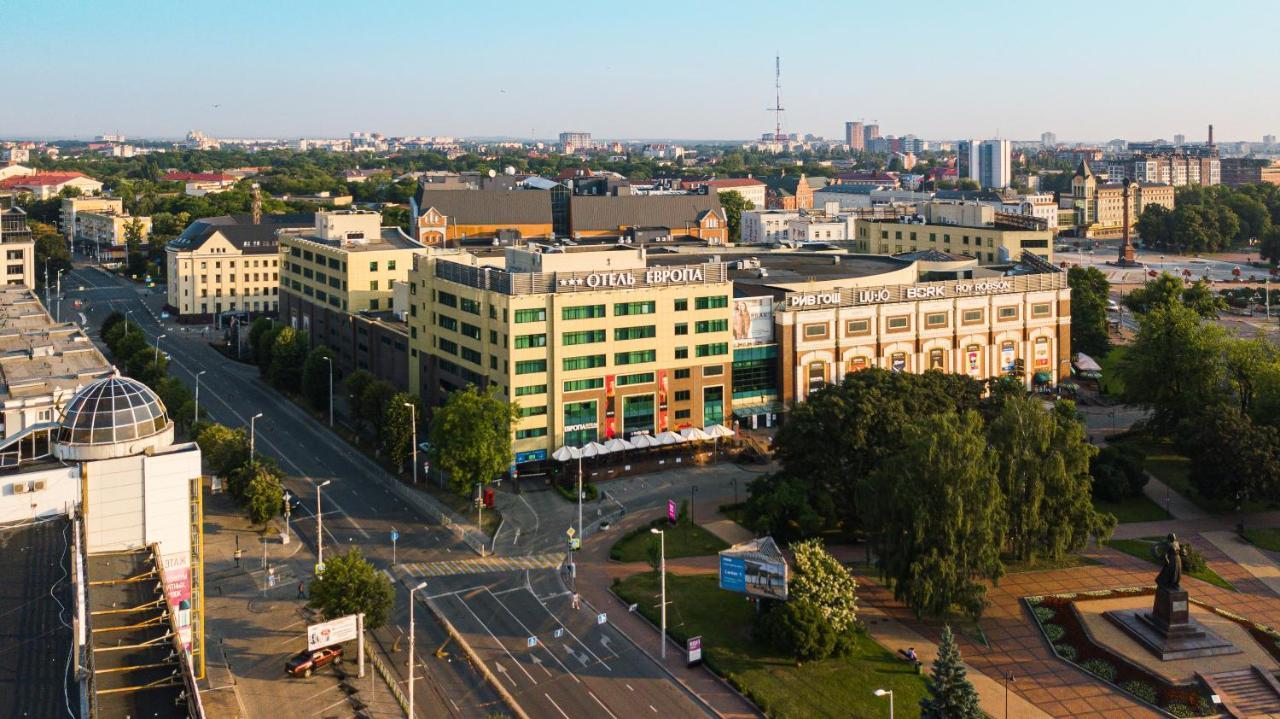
{"points": [[784, 690]]}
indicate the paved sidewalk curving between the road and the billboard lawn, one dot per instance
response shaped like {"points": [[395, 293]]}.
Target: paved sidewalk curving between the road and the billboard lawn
{"points": [[595, 579]]}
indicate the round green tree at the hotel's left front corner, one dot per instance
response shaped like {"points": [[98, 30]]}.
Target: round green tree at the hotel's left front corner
{"points": [[472, 438]]}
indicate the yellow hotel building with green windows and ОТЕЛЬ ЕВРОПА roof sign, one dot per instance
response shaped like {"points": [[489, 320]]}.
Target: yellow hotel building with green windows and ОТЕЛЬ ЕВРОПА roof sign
{"points": [[591, 342]]}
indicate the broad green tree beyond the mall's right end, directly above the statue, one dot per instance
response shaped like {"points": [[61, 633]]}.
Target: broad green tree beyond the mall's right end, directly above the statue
{"points": [[1174, 365]]}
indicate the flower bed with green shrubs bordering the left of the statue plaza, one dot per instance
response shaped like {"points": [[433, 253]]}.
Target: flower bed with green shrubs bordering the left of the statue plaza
{"points": [[1062, 626]]}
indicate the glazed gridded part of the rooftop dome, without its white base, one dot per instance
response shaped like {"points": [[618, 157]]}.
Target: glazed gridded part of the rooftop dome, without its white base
{"points": [[112, 411]]}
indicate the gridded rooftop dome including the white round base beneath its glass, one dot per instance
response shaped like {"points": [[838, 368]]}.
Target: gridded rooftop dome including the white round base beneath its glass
{"points": [[113, 418]]}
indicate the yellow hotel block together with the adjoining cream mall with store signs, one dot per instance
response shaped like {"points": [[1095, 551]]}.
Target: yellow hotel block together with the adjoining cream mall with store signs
{"points": [[597, 342]]}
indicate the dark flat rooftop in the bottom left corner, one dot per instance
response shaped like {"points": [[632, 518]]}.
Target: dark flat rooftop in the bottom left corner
{"points": [[36, 679]]}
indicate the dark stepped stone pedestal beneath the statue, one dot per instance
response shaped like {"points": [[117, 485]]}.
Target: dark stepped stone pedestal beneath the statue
{"points": [[1169, 631]]}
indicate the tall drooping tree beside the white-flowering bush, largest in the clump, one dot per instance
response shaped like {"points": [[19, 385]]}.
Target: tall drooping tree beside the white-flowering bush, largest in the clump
{"points": [[940, 521]]}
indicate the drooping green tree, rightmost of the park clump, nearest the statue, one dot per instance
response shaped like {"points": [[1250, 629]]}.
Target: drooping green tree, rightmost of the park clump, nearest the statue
{"points": [[1044, 468]]}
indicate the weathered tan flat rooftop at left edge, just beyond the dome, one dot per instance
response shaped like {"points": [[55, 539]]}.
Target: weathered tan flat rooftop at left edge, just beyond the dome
{"points": [[39, 356]]}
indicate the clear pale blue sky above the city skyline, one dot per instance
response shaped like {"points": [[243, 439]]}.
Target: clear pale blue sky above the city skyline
{"points": [[639, 70]]}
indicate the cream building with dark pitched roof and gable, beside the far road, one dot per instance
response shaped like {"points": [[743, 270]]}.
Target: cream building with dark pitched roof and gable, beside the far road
{"points": [[227, 264]]}
